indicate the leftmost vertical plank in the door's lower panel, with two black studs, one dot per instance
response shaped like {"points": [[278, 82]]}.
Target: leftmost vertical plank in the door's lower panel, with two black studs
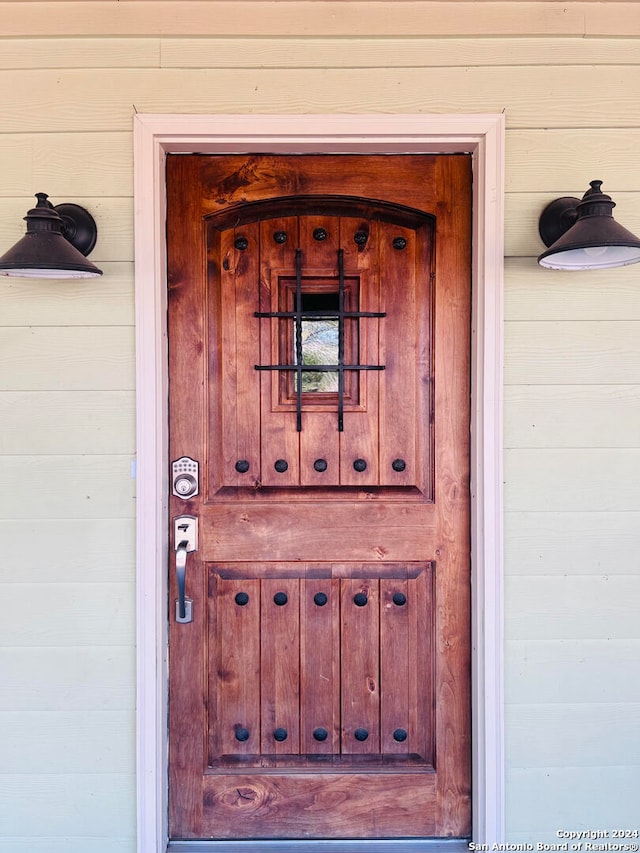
{"points": [[237, 671]]}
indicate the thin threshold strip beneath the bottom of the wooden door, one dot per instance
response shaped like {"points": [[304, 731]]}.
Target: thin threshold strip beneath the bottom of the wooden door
{"points": [[396, 845]]}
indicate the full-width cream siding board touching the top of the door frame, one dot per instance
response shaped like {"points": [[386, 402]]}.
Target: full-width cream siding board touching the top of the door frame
{"points": [[93, 100]]}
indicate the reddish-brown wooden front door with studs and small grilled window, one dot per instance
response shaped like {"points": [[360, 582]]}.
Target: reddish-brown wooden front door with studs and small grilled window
{"points": [[319, 338]]}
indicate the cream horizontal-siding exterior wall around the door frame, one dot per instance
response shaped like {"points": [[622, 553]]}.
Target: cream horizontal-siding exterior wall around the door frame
{"points": [[71, 76]]}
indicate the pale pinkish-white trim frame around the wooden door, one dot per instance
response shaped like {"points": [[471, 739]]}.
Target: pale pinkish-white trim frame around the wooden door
{"points": [[155, 136]]}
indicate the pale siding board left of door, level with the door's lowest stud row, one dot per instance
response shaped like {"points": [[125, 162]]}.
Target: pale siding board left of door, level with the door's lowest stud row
{"points": [[81, 741]]}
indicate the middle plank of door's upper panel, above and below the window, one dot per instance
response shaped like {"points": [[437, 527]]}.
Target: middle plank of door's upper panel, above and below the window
{"points": [[319, 439]]}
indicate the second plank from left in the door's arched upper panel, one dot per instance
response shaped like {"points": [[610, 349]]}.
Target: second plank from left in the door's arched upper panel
{"points": [[280, 441]]}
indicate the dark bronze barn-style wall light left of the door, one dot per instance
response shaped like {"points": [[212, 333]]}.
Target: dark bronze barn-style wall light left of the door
{"points": [[55, 245]]}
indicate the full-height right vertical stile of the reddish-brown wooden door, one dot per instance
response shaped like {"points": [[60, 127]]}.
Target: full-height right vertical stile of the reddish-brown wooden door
{"points": [[451, 583]]}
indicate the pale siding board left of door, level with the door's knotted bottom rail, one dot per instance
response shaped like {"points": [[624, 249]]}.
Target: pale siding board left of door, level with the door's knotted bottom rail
{"points": [[100, 804]]}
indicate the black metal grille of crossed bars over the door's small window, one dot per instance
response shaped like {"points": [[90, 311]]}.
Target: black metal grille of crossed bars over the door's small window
{"points": [[298, 316]]}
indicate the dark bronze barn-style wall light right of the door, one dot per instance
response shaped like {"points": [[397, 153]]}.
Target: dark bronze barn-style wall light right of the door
{"points": [[583, 235]]}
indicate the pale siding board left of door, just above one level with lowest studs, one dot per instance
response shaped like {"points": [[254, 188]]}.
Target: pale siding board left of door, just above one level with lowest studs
{"points": [[64, 679]]}
